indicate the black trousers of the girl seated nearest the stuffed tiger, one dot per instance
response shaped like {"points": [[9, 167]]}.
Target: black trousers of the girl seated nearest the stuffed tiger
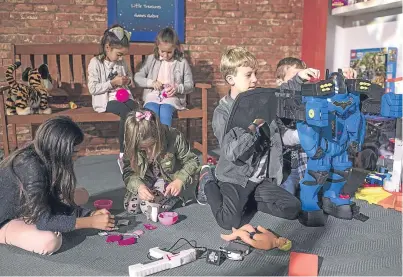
{"points": [[121, 109]]}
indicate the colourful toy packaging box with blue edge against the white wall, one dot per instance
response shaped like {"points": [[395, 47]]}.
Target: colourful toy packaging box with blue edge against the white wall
{"points": [[376, 65]]}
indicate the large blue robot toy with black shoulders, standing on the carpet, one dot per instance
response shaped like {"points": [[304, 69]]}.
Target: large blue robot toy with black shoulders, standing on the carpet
{"points": [[334, 130]]}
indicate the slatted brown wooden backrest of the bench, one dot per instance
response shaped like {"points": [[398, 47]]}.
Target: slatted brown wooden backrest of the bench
{"points": [[68, 63]]}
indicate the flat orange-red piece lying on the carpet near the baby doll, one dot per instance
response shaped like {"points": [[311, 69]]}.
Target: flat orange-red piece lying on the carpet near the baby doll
{"points": [[302, 264]]}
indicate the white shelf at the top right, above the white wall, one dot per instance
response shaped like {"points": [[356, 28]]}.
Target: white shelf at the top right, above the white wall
{"points": [[367, 7]]}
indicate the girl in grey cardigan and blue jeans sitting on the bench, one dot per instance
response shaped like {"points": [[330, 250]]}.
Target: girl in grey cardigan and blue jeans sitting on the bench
{"points": [[166, 77]]}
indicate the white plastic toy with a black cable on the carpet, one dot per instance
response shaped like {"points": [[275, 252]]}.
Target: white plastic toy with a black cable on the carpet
{"points": [[166, 261]]}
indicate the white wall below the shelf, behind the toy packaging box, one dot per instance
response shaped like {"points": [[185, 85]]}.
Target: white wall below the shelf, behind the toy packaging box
{"points": [[380, 29]]}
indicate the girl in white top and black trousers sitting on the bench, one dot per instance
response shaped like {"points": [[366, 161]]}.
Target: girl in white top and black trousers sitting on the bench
{"points": [[107, 73]]}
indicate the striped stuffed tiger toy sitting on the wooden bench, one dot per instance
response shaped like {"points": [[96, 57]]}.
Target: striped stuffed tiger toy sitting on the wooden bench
{"points": [[28, 99]]}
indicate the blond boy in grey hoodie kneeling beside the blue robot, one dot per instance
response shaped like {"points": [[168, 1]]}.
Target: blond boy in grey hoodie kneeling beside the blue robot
{"points": [[246, 180]]}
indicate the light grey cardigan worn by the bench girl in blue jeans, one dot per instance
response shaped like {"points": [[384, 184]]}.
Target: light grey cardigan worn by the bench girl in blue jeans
{"points": [[149, 73]]}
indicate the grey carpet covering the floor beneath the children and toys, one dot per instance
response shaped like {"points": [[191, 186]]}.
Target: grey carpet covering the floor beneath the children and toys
{"points": [[347, 247]]}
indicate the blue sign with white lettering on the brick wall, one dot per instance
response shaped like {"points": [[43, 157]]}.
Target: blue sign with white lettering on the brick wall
{"points": [[145, 18]]}
